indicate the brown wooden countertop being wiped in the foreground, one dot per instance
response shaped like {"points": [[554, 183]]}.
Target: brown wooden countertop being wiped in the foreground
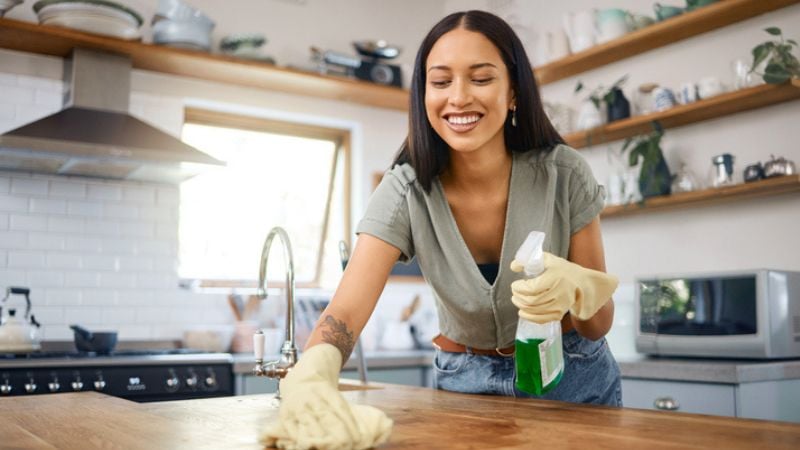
{"points": [[424, 418]]}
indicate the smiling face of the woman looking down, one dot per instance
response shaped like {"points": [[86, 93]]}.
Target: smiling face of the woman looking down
{"points": [[468, 93]]}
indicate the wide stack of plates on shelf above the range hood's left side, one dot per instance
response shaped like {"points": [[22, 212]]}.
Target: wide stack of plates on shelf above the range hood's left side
{"points": [[94, 16]]}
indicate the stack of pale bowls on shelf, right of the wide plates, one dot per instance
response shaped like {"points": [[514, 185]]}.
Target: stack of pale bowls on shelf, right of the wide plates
{"points": [[177, 24]]}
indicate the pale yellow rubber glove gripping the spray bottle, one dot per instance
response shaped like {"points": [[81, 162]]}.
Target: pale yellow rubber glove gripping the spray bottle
{"points": [[563, 286]]}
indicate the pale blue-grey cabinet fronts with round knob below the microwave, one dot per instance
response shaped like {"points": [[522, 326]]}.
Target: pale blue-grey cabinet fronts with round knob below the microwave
{"points": [[771, 400]]}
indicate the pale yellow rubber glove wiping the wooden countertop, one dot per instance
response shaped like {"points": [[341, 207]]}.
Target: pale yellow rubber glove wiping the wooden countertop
{"points": [[314, 415]]}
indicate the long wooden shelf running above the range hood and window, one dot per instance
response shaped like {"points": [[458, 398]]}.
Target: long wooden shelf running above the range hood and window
{"points": [[56, 41]]}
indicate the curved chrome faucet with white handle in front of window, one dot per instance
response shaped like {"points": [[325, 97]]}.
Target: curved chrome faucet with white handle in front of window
{"points": [[277, 369]]}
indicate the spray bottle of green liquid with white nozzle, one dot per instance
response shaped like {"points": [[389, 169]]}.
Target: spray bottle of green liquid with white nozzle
{"points": [[539, 358]]}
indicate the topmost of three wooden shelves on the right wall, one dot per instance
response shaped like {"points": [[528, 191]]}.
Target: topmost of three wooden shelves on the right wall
{"points": [[711, 17]]}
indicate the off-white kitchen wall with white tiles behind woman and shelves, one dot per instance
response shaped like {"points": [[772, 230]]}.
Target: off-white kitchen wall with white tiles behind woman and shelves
{"points": [[757, 233]]}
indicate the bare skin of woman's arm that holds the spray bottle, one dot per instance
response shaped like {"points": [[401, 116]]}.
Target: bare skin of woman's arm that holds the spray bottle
{"points": [[586, 249]]}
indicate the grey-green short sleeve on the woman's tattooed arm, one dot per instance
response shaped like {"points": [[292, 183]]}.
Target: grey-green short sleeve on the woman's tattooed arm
{"points": [[387, 216]]}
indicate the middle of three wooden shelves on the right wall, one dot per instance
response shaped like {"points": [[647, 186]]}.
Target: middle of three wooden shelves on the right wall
{"points": [[719, 106]]}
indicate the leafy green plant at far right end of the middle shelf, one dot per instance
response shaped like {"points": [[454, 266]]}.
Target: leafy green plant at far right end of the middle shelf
{"points": [[781, 64]]}
